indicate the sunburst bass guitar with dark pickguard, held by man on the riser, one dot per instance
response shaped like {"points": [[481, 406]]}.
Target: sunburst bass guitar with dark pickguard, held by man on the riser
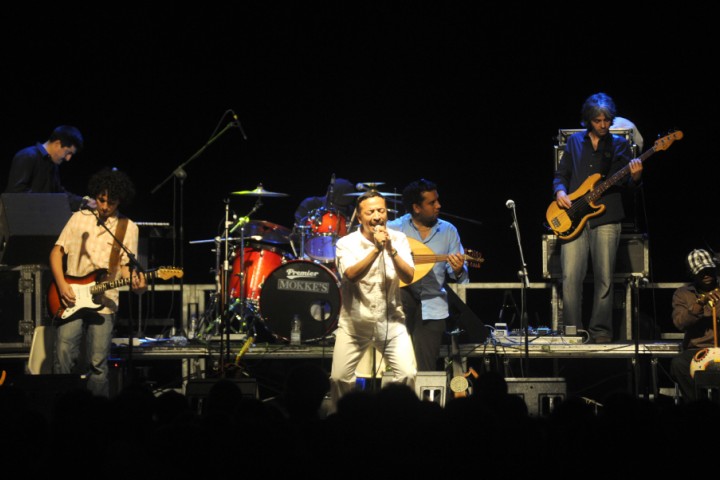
{"points": [[568, 223]]}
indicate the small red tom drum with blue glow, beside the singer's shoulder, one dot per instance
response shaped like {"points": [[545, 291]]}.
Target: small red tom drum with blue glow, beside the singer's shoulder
{"points": [[326, 226]]}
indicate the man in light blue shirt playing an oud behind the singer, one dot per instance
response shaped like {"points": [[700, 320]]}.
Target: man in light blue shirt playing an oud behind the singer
{"points": [[425, 301]]}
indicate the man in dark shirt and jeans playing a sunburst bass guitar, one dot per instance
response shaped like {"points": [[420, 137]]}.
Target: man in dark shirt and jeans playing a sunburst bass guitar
{"points": [[595, 151]]}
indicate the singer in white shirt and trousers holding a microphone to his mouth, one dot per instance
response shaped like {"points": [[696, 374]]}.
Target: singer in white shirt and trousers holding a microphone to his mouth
{"points": [[371, 262]]}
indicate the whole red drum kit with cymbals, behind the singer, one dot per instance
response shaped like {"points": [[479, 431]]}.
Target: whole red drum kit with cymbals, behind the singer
{"points": [[278, 273]]}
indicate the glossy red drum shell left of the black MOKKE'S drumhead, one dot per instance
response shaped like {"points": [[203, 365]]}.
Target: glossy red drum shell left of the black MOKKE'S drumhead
{"points": [[259, 262]]}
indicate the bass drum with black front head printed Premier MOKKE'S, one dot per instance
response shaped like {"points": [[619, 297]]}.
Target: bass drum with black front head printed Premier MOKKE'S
{"points": [[302, 288]]}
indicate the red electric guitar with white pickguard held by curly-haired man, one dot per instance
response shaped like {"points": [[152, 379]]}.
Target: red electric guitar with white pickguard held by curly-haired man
{"points": [[86, 288]]}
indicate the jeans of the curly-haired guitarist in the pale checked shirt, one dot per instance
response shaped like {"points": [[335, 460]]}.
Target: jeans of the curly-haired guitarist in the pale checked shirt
{"points": [[98, 337]]}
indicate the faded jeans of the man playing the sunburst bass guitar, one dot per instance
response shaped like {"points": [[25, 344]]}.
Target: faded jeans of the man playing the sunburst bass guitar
{"points": [[601, 244]]}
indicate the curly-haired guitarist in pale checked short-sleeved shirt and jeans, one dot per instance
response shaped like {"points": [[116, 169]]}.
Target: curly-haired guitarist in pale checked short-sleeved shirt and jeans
{"points": [[87, 246]]}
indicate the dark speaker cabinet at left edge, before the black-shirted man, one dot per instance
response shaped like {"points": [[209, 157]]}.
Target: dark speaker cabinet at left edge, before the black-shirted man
{"points": [[29, 225]]}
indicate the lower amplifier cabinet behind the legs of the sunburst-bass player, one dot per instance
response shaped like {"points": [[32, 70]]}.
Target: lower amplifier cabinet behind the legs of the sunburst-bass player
{"points": [[633, 258]]}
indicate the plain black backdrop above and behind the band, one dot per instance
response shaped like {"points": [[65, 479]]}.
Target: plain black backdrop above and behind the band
{"points": [[469, 95]]}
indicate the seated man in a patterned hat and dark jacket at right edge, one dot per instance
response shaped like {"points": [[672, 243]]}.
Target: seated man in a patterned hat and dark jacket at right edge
{"points": [[693, 314]]}
